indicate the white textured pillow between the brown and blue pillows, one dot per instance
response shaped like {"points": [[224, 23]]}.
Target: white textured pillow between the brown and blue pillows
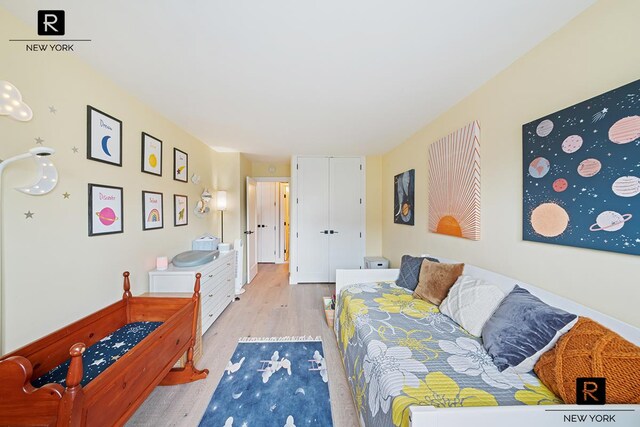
{"points": [[471, 302]]}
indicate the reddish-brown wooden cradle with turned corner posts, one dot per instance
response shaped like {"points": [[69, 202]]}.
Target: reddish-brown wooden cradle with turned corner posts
{"points": [[115, 393]]}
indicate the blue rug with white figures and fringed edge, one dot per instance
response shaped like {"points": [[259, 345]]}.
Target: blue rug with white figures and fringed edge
{"points": [[280, 382]]}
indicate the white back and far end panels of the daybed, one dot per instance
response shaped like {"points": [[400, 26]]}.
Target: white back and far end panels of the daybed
{"points": [[350, 277]]}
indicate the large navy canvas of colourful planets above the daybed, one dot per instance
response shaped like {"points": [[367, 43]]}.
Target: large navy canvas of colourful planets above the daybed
{"points": [[581, 174]]}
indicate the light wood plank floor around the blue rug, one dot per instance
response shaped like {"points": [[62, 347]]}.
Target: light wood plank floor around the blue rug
{"points": [[269, 308]]}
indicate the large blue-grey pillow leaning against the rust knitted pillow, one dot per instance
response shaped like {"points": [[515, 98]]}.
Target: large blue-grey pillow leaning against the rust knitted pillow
{"points": [[523, 328]]}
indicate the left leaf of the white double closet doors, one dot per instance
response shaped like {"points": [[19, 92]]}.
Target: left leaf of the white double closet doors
{"points": [[313, 219]]}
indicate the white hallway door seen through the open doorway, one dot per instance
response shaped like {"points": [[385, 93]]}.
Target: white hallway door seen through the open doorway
{"points": [[267, 217]]}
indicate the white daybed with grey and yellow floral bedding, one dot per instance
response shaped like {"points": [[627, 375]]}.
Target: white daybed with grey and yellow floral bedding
{"points": [[410, 365]]}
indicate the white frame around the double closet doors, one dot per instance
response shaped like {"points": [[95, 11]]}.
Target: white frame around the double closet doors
{"points": [[293, 212]]}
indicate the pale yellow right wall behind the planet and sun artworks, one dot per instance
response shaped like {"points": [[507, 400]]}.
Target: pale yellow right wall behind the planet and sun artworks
{"points": [[594, 53]]}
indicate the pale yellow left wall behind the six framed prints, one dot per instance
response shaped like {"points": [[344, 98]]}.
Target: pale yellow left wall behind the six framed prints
{"points": [[53, 272]]}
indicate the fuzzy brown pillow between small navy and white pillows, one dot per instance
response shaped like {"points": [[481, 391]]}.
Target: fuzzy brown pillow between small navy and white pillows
{"points": [[435, 280]]}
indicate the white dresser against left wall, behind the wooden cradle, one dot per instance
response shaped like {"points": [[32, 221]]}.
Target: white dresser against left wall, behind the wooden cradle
{"points": [[217, 284]]}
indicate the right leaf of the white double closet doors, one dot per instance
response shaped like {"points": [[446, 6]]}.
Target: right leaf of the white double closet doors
{"points": [[345, 215]]}
